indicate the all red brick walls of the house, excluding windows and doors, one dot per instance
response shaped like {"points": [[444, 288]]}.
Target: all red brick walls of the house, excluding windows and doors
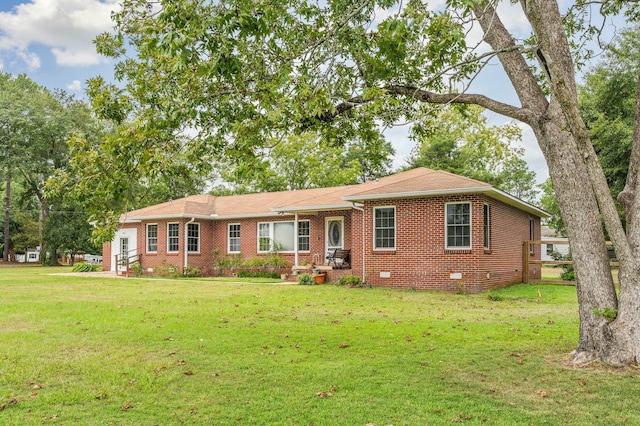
{"points": [[419, 260]]}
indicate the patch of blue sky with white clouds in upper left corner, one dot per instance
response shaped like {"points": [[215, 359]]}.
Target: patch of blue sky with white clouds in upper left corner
{"points": [[51, 40]]}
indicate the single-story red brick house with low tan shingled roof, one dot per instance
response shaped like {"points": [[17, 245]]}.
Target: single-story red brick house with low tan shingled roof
{"points": [[422, 229]]}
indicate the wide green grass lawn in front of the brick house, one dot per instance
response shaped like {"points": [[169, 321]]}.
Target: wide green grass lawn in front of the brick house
{"points": [[87, 350]]}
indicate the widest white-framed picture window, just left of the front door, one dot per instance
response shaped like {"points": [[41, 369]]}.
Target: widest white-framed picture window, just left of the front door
{"points": [[279, 236]]}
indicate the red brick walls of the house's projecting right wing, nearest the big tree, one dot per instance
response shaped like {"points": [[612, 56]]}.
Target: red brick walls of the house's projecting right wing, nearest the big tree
{"points": [[421, 260]]}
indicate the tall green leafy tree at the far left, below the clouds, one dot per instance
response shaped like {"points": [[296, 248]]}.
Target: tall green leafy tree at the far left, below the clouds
{"points": [[36, 124]]}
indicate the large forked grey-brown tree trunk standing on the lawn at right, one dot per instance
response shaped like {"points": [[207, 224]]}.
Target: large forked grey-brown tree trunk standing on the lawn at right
{"points": [[579, 183]]}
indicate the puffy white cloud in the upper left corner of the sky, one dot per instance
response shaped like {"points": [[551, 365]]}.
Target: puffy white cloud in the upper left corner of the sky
{"points": [[67, 27]]}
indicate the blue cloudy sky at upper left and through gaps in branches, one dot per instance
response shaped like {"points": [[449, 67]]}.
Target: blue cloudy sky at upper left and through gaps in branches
{"points": [[51, 42]]}
